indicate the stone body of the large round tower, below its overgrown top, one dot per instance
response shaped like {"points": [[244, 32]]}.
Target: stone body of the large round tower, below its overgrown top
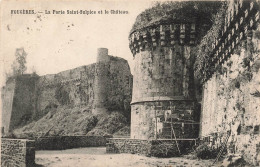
{"points": [[162, 81]]}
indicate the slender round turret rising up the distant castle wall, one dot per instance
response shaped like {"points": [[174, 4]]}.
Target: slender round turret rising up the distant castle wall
{"points": [[101, 80]]}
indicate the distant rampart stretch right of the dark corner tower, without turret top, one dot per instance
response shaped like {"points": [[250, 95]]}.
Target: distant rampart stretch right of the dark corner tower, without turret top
{"points": [[103, 85]]}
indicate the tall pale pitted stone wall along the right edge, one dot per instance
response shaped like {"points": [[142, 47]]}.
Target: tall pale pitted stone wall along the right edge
{"points": [[231, 94]]}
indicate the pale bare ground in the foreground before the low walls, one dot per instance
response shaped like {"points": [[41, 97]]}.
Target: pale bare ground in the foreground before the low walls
{"points": [[96, 157]]}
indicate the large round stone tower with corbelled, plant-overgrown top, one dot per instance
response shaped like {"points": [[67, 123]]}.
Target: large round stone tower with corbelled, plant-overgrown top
{"points": [[164, 49]]}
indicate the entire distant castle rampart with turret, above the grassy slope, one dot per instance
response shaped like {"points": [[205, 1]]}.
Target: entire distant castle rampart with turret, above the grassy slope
{"points": [[104, 85]]}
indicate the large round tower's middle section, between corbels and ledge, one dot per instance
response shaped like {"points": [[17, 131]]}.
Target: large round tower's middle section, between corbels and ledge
{"points": [[163, 72]]}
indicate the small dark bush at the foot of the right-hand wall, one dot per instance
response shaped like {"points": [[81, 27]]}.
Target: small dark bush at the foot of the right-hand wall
{"points": [[205, 152]]}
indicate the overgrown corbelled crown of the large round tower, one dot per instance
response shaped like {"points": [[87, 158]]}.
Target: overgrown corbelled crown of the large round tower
{"points": [[167, 24]]}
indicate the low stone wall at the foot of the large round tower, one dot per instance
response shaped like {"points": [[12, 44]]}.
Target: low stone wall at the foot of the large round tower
{"points": [[157, 148]]}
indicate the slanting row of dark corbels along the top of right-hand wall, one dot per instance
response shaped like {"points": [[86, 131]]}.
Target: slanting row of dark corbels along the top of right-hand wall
{"points": [[234, 25]]}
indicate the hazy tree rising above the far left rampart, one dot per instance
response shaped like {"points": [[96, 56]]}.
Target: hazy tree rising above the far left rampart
{"points": [[19, 64]]}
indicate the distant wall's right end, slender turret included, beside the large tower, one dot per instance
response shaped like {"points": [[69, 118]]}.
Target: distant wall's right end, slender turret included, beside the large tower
{"points": [[112, 84]]}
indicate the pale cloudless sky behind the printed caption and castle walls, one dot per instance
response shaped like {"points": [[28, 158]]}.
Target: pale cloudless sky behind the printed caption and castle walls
{"points": [[58, 42]]}
